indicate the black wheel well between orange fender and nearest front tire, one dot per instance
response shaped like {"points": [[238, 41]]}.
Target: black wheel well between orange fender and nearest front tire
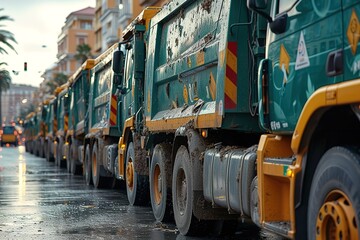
{"points": [[328, 126]]}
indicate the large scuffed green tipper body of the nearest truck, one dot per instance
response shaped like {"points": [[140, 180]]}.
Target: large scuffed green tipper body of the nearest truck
{"points": [[187, 61]]}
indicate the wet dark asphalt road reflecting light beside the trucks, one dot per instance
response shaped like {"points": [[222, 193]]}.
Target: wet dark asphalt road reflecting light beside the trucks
{"points": [[41, 201]]}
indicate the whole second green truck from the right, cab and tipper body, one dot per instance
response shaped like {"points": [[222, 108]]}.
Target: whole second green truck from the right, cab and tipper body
{"points": [[113, 106]]}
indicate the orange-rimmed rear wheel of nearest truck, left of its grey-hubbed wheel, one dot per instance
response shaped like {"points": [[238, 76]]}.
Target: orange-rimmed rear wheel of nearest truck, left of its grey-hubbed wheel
{"points": [[160, 180]]}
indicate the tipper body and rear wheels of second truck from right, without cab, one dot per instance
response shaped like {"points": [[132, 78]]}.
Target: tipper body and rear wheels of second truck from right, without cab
{"points": [[101, 118]]}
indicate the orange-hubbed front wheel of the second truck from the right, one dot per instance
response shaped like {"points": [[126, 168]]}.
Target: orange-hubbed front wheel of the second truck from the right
{"points": [[137, 187]]}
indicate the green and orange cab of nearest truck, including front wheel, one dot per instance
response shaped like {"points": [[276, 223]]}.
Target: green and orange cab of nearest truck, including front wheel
{"points": [[308, 102]]}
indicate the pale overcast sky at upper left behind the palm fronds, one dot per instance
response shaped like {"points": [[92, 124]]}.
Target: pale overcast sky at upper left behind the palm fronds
{"points": [[36, 27]]}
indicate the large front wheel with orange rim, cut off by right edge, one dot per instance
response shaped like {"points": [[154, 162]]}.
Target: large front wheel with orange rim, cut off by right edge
{"points": [[334, 203]]}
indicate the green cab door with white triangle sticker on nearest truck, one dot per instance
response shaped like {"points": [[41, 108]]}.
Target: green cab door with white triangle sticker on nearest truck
{"points": [[304, 55]]}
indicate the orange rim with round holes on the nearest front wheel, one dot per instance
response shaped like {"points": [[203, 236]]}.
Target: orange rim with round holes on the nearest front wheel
{"points": [[336, 218]]}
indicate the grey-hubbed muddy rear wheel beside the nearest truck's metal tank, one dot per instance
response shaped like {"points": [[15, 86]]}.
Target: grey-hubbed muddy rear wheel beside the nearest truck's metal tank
{"points": [[182, 193]]}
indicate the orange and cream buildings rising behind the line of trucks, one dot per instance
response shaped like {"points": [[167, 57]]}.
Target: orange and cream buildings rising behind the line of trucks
{"points": [[99, 27]]}
